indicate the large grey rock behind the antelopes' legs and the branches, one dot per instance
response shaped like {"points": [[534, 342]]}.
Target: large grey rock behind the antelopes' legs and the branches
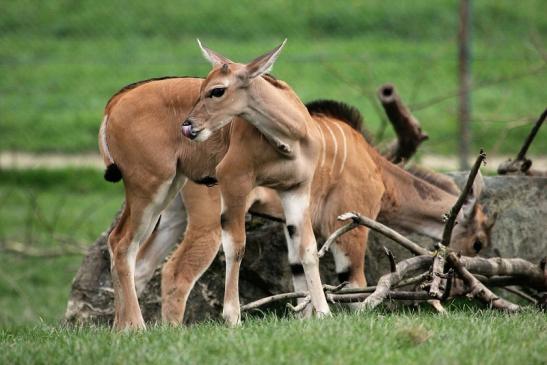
{"points": [[519, 202]]}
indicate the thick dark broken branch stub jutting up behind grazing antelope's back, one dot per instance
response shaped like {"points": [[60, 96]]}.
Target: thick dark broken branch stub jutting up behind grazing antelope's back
{"points": [[406, 126]]}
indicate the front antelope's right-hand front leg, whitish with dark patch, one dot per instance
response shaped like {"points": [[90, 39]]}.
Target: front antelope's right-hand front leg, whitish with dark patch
{"points": [[301, 238]]}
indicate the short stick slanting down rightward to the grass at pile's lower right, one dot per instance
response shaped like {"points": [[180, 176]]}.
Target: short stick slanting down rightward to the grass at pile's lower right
{"points": [[478, 289]]}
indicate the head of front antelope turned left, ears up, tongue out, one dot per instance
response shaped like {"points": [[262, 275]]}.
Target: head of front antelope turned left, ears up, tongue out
{"points": [[225, 92]]}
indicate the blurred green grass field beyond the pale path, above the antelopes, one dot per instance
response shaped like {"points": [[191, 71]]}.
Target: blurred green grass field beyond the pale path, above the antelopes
{"points": [[59, 63]]}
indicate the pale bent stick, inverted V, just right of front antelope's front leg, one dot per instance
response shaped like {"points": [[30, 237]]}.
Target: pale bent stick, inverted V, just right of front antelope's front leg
{"points": [[357, 220]]}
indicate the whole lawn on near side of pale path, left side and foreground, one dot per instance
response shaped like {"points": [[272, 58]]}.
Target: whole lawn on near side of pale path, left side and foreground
{"points": [[51, 209]]}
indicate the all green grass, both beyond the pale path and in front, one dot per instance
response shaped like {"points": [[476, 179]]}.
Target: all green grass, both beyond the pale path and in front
{"points": [[61, 60]]}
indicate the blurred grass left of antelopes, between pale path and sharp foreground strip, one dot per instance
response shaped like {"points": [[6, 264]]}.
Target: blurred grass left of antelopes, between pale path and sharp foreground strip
{"points": [[48, 210]]}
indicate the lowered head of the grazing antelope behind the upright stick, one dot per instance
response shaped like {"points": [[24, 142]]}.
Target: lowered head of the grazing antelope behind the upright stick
{"points": [[472, 233]]}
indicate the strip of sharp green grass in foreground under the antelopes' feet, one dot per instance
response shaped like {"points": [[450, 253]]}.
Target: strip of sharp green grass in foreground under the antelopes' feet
{"points": [[464, 336]]}
